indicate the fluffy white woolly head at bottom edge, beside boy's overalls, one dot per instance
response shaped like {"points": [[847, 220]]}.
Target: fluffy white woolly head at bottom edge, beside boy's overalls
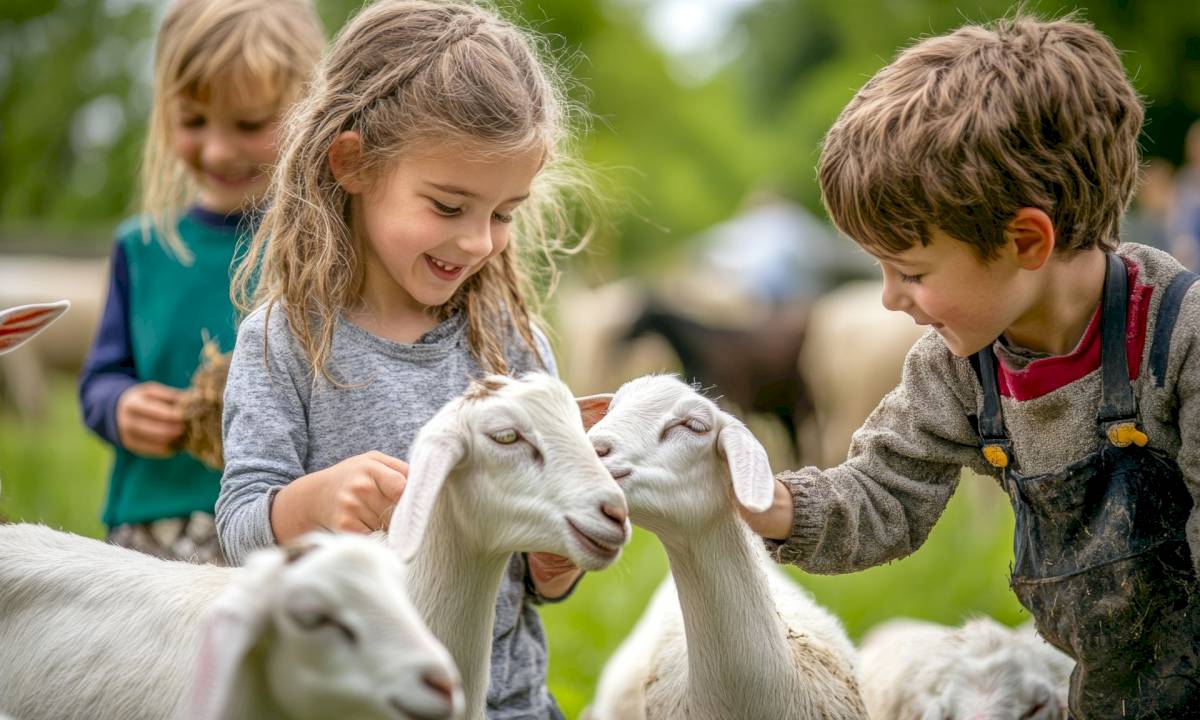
{"points": [[994, 674]]}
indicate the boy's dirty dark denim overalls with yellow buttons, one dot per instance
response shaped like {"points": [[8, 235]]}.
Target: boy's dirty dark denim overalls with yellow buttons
{"points": [[1101, 560]]}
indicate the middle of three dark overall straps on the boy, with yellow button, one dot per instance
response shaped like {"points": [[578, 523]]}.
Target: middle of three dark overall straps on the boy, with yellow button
{"points": [[1119, 409]]}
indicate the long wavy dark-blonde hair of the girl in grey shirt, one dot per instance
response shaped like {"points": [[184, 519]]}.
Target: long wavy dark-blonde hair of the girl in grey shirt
{"points": [[406, 75]]}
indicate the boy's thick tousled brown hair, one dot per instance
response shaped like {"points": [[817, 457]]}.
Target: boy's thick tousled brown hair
{"points": [[964, 130]]}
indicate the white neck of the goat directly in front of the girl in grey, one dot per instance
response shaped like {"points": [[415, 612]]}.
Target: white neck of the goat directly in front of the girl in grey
{"points": [[454, 583]]}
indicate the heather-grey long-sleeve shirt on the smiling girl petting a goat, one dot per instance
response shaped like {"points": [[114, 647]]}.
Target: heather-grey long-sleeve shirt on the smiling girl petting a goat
{"points": [[280, 425]]}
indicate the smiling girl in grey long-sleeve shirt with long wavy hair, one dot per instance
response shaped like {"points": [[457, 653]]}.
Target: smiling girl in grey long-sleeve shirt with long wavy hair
{"points": [[424, 167]]}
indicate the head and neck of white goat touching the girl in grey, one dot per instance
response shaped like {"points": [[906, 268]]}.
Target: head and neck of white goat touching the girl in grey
{"points": [[506, 469]]}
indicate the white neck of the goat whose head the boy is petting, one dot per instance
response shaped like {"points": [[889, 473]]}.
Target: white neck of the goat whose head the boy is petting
{"points": [[739, 659]]}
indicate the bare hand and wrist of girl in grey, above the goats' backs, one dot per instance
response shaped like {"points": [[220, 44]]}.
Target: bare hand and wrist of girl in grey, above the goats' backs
{"points": [[355, 496]]}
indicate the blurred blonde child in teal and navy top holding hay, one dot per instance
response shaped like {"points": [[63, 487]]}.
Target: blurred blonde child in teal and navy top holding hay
{"points": [[225, 71]]}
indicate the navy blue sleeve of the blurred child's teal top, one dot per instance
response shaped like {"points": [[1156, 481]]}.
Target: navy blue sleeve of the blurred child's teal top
{"points": [[110, 369]]}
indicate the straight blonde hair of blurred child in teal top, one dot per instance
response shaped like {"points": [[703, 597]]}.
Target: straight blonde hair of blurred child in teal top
{"points": [[263, 47]]}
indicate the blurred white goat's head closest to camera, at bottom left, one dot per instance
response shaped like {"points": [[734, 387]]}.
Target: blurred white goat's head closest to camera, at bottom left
{"points": [[334, 635]]}
